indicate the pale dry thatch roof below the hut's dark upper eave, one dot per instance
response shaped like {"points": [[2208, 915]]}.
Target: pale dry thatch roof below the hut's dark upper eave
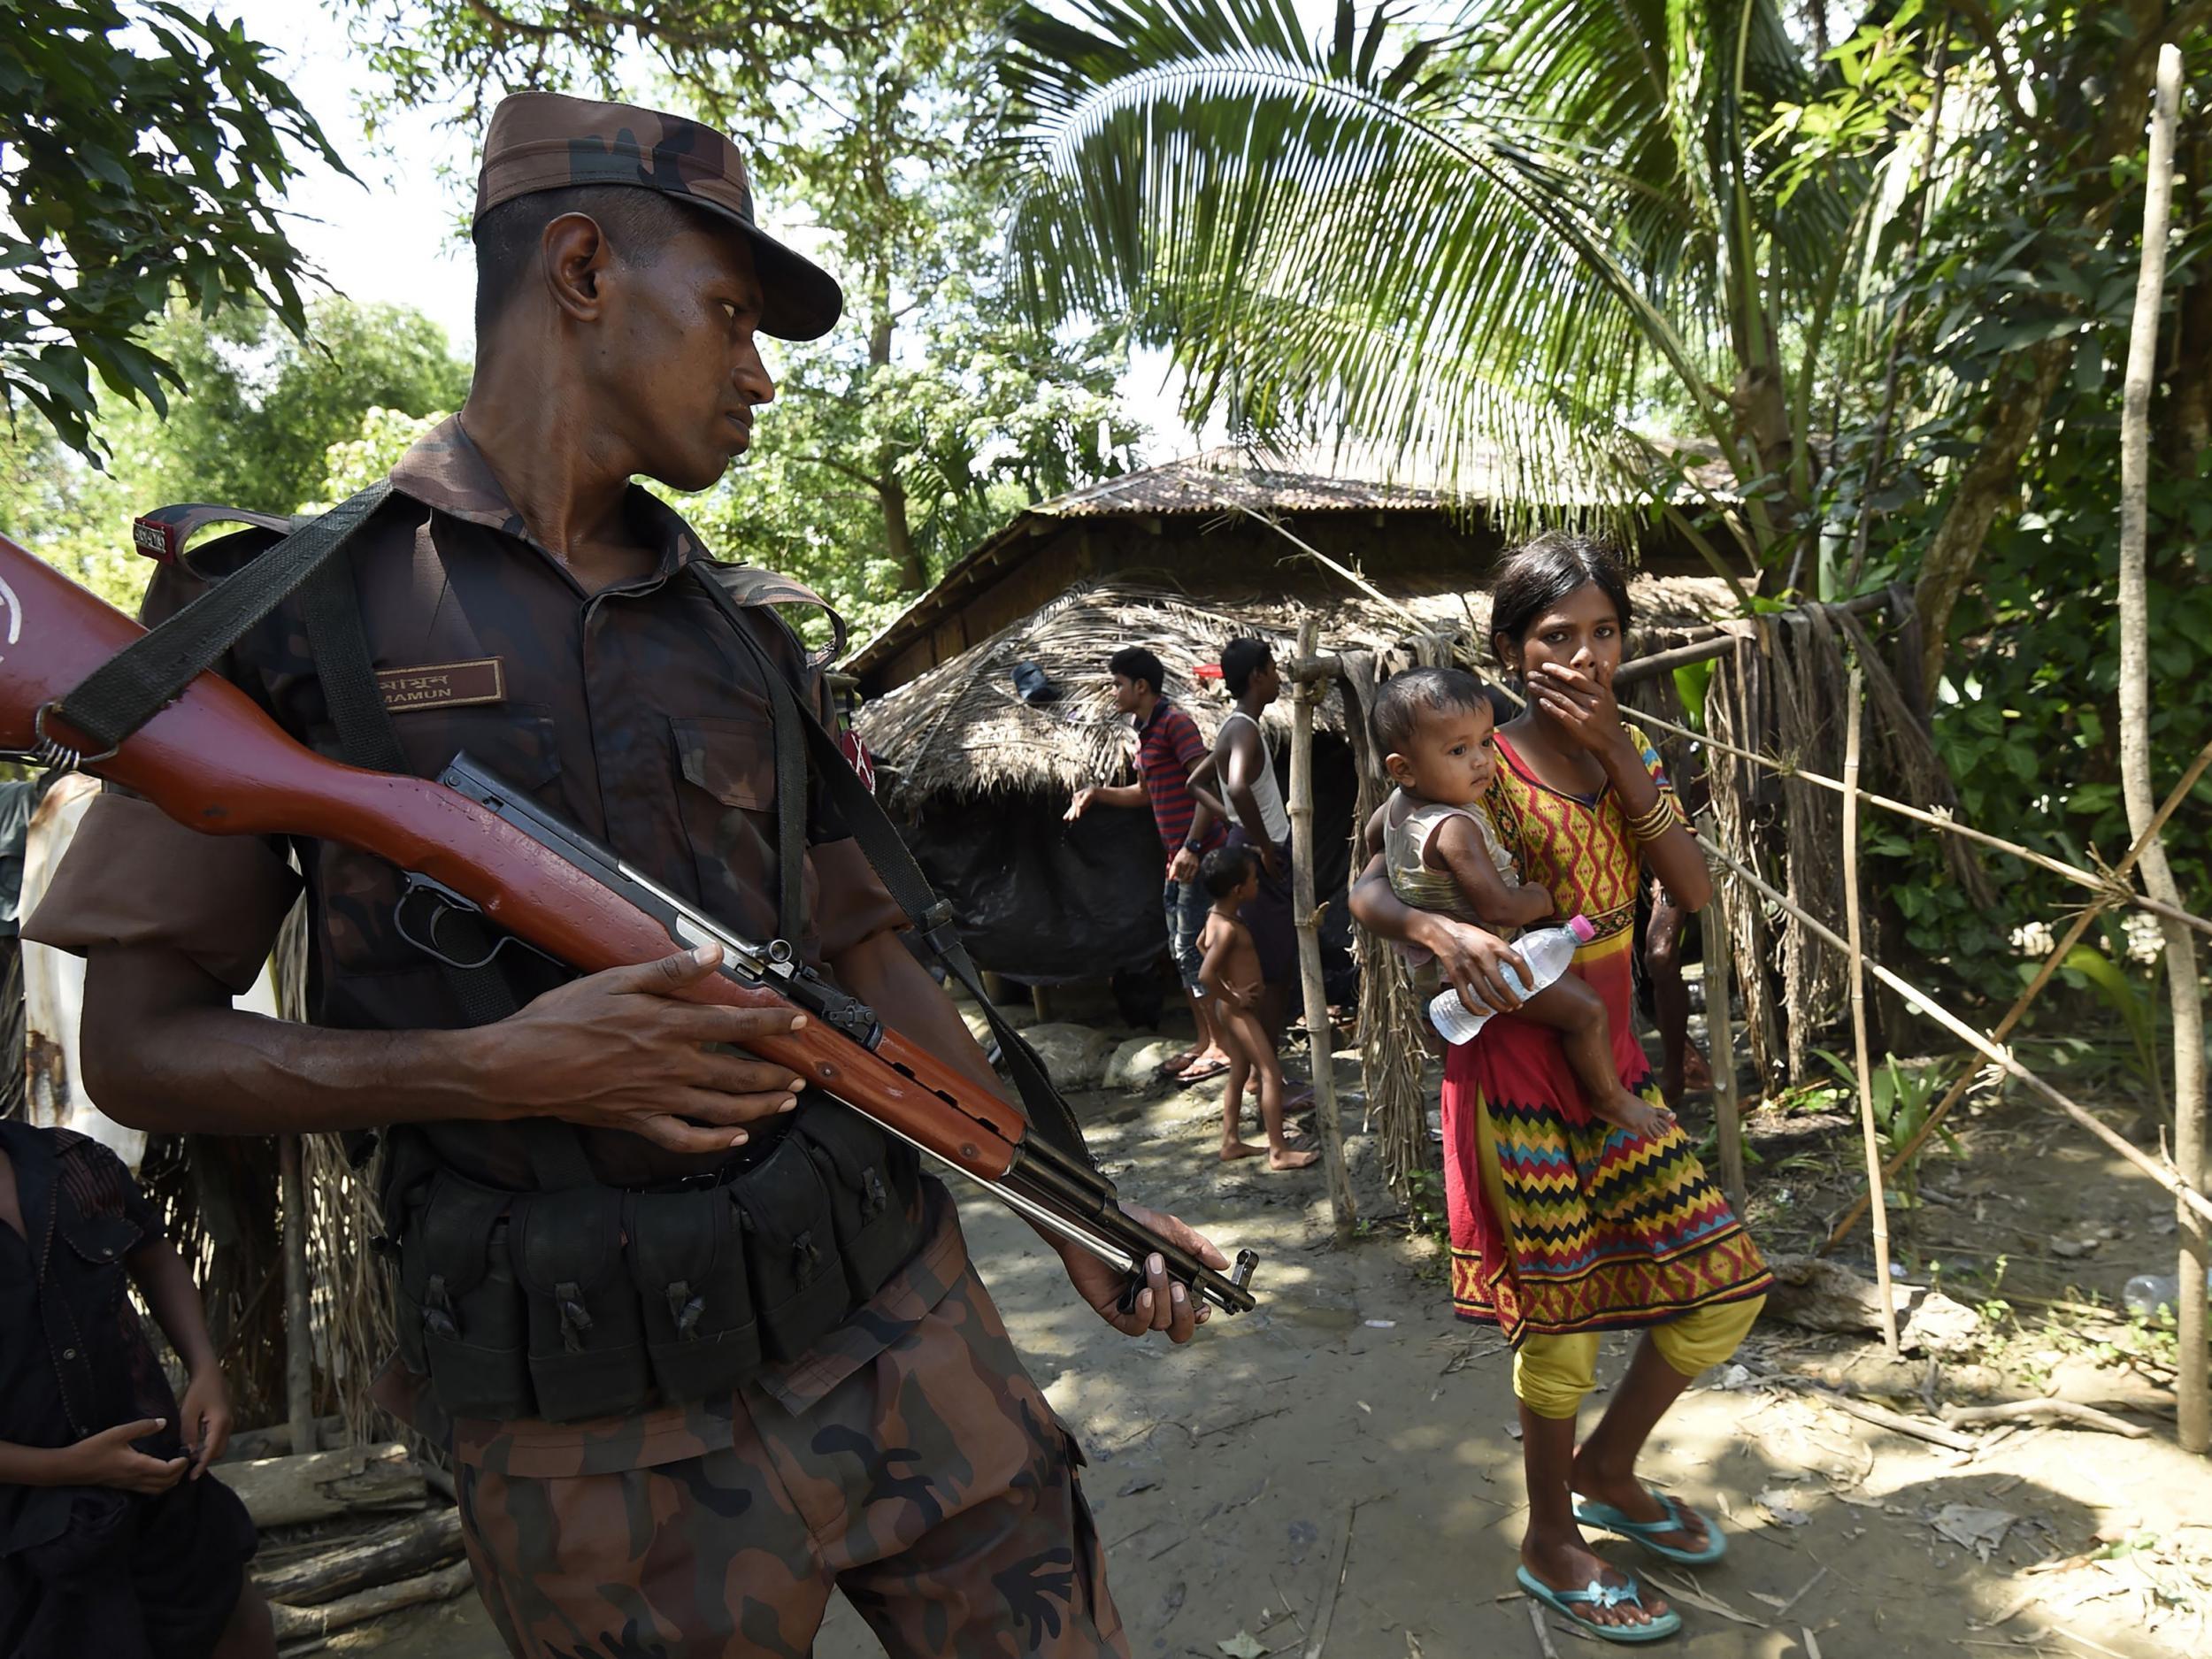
{"points": [[961, 729]]}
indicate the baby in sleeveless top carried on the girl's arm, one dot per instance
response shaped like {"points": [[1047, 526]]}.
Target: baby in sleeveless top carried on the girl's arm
{"points": [[1443, 855]]}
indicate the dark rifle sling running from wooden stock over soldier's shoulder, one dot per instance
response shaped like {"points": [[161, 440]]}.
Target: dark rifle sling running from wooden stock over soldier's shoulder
{"points": [[140, 680]]}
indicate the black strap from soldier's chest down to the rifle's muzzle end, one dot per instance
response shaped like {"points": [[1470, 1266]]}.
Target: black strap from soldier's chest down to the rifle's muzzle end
{"points": [[895, 866]]}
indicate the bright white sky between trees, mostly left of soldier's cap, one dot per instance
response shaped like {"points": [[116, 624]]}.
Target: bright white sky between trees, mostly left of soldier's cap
{"points": [[399, 233]]}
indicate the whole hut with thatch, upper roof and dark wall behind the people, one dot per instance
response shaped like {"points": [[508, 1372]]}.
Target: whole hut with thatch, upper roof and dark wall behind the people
{"points": [[1178, 559]]}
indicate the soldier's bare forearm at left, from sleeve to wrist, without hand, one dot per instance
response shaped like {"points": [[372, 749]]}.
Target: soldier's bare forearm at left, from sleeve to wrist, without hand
{"points": [[165, 1052]]}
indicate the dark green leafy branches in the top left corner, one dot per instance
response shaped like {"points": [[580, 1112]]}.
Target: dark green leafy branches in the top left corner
{"points": [[143, 154]]}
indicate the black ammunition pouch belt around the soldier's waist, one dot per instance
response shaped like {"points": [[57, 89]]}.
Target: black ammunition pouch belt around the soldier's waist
{"points": [[601, 1302]]}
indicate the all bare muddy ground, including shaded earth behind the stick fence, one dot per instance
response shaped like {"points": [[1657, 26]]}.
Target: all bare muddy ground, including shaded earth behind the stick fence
{"points": [[1353, 1419]]}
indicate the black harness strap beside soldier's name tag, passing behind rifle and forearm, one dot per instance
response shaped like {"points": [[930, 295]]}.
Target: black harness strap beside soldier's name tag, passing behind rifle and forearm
{"points": [[348, 676]]}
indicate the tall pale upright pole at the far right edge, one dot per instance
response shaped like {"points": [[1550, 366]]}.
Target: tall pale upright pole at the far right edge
{"points": [[2193, 1390]]}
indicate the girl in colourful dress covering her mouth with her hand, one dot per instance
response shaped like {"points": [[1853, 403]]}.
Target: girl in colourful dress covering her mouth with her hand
{"points": [[1565, 1227]]}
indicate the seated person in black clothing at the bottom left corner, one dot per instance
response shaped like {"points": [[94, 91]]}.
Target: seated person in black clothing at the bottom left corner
{"points": [[114, 1538]]}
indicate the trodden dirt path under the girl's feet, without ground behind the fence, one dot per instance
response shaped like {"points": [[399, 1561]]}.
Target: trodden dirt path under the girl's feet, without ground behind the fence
{"points": [[1224, 1477]]}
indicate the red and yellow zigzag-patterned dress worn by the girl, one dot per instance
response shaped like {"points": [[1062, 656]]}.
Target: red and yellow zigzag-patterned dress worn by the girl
{"points": [[1558, 1220]]}
